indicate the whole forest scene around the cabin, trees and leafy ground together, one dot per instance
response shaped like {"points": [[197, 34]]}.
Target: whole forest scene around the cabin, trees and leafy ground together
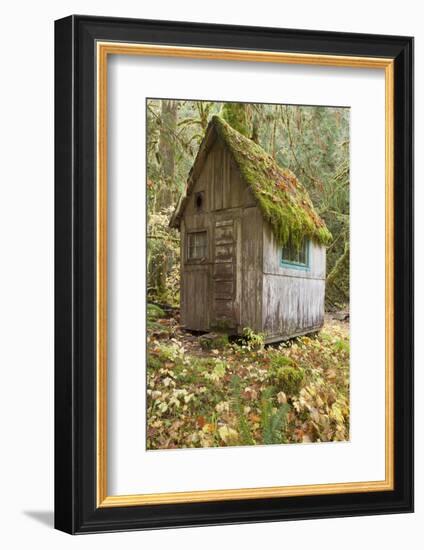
{"points": [[211, 390]]}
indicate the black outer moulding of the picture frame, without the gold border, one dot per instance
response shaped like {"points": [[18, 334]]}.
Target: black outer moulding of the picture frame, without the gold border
{"points": [[76, 510]]}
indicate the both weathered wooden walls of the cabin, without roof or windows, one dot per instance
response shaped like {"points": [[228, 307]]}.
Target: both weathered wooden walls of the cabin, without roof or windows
{"points": [[241, 282]]}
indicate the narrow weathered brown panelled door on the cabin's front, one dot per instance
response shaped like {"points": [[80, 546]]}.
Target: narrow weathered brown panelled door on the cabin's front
{"points": [[224, 277]]}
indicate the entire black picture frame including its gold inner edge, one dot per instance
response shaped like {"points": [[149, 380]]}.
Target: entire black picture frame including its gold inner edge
{"points": [[83, 45]]}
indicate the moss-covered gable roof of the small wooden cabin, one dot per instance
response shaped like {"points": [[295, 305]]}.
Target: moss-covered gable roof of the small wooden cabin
{"points": [[282, 199]]}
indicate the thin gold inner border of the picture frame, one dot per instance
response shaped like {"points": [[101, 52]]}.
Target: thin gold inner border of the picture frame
{"points": [[104, 49]]}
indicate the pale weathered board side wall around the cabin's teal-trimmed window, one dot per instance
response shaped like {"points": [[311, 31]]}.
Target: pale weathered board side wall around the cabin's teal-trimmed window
{"points": [[292, 299]]}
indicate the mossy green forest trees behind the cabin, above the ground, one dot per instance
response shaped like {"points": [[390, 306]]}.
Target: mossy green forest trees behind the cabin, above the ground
{"points": [[312, 141]]}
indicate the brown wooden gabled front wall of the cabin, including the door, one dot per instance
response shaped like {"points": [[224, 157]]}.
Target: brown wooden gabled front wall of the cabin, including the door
{"points": [[211, 290]]}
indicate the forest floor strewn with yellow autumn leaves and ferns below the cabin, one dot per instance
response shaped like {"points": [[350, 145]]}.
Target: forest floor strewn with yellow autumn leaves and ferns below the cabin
{"points": [[206, 391]]}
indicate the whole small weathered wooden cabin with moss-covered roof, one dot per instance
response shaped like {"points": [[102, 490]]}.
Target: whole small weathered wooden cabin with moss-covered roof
{"points": [[252, 245]]}
